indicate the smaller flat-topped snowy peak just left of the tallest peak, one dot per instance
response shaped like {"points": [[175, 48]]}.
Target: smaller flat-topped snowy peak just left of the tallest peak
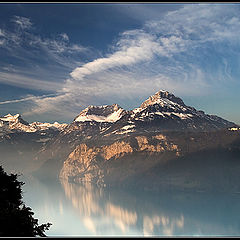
{"points": [[105, 113]]}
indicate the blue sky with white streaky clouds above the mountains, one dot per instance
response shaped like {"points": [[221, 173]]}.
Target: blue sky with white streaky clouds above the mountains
{"points": [[58, 58]]}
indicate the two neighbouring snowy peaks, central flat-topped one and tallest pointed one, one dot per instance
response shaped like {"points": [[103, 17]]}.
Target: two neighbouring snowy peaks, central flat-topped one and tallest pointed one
{"points": [[163, 107]]}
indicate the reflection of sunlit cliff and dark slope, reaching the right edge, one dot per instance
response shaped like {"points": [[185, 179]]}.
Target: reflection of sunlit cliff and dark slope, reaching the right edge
{"points": [[154, 214]]}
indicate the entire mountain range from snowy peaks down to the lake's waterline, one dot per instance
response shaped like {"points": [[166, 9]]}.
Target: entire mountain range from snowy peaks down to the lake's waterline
{"points": [[110, 146]]}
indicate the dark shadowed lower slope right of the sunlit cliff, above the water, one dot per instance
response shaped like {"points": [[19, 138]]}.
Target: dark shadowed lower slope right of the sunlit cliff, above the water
{"points": [[215, 170]]}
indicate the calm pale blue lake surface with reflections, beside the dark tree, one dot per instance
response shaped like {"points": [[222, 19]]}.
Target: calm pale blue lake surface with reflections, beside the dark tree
{"points": [[84, 210]]}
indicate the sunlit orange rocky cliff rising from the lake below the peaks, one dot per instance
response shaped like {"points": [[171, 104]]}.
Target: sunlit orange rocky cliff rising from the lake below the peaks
{"points": [[107, 164]]}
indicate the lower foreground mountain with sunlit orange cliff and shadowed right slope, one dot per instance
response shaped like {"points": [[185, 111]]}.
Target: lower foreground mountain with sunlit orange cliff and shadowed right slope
{"points": [[173, 160]]}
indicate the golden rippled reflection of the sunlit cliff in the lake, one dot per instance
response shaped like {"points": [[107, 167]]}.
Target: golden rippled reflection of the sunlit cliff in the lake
{"points": [[121, 211]]}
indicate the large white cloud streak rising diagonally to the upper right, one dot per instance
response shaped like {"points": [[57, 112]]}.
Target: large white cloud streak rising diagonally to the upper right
{"points": [[179, 31]]}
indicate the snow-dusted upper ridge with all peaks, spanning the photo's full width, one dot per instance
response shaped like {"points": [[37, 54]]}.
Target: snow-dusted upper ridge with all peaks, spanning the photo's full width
{"points": [[162, 106]]}
